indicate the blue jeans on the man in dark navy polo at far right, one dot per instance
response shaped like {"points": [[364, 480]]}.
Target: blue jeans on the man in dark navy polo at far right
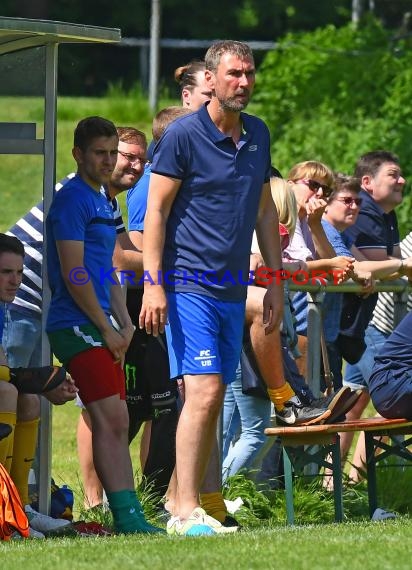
{"points": [[357, 375]]}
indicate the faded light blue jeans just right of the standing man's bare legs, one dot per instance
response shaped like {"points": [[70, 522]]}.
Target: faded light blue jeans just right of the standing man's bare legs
{"points": [[246, 416]]}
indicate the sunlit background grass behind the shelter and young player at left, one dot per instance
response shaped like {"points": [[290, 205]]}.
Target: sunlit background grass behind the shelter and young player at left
{"points": [[21, 176]]}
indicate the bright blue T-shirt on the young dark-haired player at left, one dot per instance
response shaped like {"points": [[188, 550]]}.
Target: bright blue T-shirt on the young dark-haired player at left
{"points": [[79, 213]]}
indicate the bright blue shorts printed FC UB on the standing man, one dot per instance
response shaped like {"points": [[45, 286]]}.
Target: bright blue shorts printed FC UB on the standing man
{"points": [[204, 335]]}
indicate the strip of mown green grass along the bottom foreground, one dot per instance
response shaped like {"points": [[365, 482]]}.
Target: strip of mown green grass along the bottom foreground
{"points": [[357, 546]]}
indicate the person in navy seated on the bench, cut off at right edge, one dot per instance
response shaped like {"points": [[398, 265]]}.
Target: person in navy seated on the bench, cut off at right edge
{"points": [[390, 384]]}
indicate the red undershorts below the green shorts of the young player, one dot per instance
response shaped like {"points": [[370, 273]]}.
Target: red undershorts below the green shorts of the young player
{"points": [[97, 375]]}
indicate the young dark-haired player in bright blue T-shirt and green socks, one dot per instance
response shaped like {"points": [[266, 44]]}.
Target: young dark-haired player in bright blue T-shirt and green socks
{"points": [[85, 293]]}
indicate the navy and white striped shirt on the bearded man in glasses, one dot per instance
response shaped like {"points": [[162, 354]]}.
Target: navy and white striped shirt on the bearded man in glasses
{"points": [[29, 230]]}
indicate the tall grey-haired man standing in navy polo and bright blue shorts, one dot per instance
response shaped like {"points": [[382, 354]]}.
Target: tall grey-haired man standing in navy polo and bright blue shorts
{"points": [[209, 189]]}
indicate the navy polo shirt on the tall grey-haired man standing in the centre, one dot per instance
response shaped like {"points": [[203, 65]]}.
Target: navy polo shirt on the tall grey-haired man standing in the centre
{"points": [[211, 222]]}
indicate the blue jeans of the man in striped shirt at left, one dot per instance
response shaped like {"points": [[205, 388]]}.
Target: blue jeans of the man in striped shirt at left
{"points": [[22, 339]]}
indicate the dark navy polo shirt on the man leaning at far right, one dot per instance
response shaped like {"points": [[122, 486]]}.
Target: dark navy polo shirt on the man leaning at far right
{"points": [[373, 229]]}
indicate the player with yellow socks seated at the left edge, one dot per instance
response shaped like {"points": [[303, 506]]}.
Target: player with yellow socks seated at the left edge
{"points": [[20, 409]]}
